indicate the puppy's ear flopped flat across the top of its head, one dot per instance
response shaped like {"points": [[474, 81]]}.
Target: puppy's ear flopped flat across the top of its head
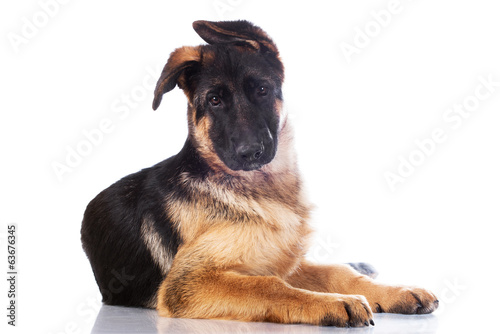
{"points": [[236, 32]]}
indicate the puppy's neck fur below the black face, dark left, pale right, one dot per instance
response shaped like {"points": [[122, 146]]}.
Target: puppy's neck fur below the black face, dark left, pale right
{"points": [[278, 182]]}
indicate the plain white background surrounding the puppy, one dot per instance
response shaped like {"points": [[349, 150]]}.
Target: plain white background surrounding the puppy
{"points": [[353, 121]]}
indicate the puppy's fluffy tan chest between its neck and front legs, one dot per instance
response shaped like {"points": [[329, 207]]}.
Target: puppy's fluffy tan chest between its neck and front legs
{"points": [[254, 236]]}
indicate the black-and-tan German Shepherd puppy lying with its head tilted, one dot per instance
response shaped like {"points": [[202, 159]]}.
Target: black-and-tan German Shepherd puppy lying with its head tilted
{"points": [[220, 230]]}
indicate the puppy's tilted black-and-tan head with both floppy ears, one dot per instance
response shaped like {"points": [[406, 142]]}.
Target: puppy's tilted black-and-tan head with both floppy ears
{"points": [[233, 86]]}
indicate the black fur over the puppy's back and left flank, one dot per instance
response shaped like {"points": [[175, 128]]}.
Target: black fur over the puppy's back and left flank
{"points": [[111, 229]]}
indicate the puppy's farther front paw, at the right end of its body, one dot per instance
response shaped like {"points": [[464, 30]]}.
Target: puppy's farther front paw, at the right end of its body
{"points": [[406, 300]]}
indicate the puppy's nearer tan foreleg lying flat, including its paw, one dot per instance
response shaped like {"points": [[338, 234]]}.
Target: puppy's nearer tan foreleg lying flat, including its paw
{"points": [[220, 294]]}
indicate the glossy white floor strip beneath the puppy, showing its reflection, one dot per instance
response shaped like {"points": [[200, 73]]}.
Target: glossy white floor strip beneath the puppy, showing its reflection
{"points": [[113, 319]]}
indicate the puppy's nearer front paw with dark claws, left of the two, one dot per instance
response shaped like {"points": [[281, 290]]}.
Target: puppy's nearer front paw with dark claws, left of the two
{"points": [[347, 311]]}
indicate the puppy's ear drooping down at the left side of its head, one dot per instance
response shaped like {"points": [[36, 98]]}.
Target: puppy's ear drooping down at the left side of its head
{"points": [[174, 71]]}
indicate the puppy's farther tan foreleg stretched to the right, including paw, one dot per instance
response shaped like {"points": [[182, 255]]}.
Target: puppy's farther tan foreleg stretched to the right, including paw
{"points": [[343, 279]]}
